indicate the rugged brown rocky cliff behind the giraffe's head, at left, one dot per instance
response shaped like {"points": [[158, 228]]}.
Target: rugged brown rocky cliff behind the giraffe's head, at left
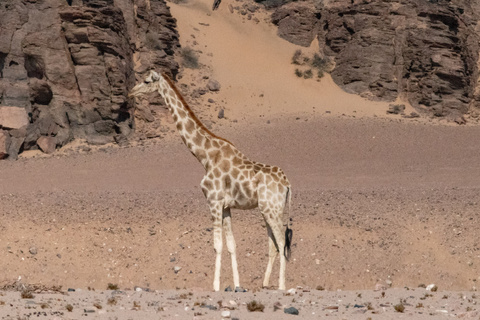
{"points": [[66, 67]]}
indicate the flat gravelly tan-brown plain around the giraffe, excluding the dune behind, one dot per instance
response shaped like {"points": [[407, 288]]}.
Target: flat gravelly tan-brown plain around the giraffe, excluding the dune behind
{"points": [[375, 202]]}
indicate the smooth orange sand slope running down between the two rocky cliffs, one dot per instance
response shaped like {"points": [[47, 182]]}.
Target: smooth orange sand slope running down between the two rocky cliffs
{"points": [[254, 66]]}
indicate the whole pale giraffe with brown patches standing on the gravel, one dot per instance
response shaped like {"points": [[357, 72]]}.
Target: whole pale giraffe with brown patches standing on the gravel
{"points": [[231, 181]]}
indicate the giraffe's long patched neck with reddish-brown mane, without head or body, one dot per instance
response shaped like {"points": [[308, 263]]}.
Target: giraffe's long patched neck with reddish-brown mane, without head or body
{"points": [[193, 133]]}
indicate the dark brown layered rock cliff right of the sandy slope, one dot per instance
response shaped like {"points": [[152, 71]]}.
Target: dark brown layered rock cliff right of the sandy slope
{"points": [[424, 51]]}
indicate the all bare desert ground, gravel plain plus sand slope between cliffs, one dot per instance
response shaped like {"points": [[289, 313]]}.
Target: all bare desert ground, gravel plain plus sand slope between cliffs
{"points": [[382, 206]]}
